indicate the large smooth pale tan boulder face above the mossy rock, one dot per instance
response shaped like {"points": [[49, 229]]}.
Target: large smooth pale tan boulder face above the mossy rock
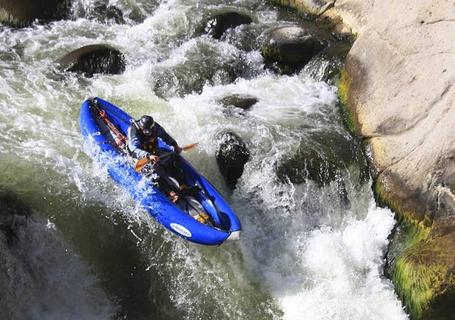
{"points": [[402, 92]]}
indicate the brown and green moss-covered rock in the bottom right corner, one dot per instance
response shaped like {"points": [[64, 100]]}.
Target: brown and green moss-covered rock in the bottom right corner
{"points": [[420, 259]]}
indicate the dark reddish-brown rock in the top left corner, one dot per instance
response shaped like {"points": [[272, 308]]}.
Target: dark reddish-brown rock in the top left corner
{"points": [[23, 12]]}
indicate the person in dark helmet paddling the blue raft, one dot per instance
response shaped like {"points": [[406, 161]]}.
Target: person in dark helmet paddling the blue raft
{"points": [[142, 143]]}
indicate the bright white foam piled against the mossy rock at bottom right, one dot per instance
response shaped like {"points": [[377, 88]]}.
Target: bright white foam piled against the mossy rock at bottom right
{"points": [[341, 272]]}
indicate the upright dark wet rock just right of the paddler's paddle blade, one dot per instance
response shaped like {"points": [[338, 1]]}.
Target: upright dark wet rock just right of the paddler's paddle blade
{"points": [[231, 156]]}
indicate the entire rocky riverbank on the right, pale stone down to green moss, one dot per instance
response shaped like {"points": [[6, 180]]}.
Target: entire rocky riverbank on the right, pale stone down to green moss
{"points": [[398, 85]]}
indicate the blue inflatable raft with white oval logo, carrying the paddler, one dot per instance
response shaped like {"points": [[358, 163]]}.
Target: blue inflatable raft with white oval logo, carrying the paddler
{"points": [[202, 216]]}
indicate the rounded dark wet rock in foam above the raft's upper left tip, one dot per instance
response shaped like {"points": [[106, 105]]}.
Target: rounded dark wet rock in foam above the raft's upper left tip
{"points": [[92, 59]]}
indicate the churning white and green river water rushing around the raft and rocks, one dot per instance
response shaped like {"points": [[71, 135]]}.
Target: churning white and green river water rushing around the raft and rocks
{"points": [[82, 249]]}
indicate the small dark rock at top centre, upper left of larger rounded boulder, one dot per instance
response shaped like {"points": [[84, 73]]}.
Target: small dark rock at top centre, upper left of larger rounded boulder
{"points": [[217, 25]]}
